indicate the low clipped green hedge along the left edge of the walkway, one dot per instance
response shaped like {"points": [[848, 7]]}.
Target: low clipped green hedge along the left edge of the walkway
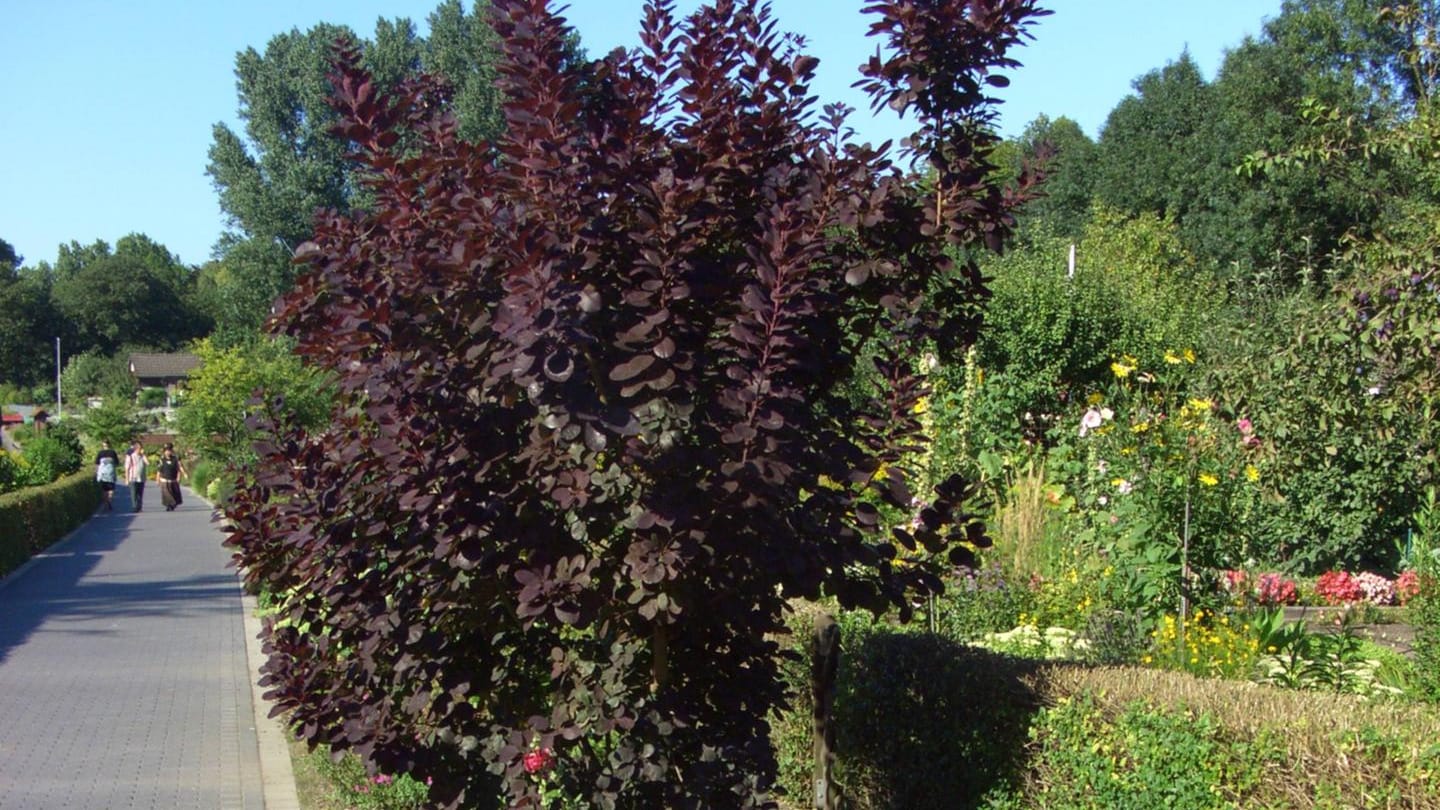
{"points": [[34, 518]]}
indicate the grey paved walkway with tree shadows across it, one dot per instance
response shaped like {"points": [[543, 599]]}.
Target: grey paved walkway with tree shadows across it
{"points": [[125, 681]]}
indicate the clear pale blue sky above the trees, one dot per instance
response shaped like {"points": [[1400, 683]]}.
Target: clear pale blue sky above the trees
{"points": [[107, 107]]}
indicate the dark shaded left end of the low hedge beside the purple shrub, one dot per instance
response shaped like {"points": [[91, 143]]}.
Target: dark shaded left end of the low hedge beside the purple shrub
{"points": [[922, 721]]}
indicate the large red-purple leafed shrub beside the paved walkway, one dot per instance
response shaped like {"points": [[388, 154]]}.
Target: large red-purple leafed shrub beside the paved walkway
{"points": [[594, 429]]}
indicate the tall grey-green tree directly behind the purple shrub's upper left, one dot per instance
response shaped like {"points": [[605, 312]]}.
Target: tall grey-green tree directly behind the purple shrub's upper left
{"points": [[287, 164]]}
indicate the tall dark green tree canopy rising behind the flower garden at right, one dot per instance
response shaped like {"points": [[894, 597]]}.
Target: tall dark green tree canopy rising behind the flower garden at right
{"points": [[1174, 148]]}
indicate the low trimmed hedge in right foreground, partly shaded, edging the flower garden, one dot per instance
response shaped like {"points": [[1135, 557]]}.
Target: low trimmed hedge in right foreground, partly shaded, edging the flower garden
{"points": [[928, 723]]}
